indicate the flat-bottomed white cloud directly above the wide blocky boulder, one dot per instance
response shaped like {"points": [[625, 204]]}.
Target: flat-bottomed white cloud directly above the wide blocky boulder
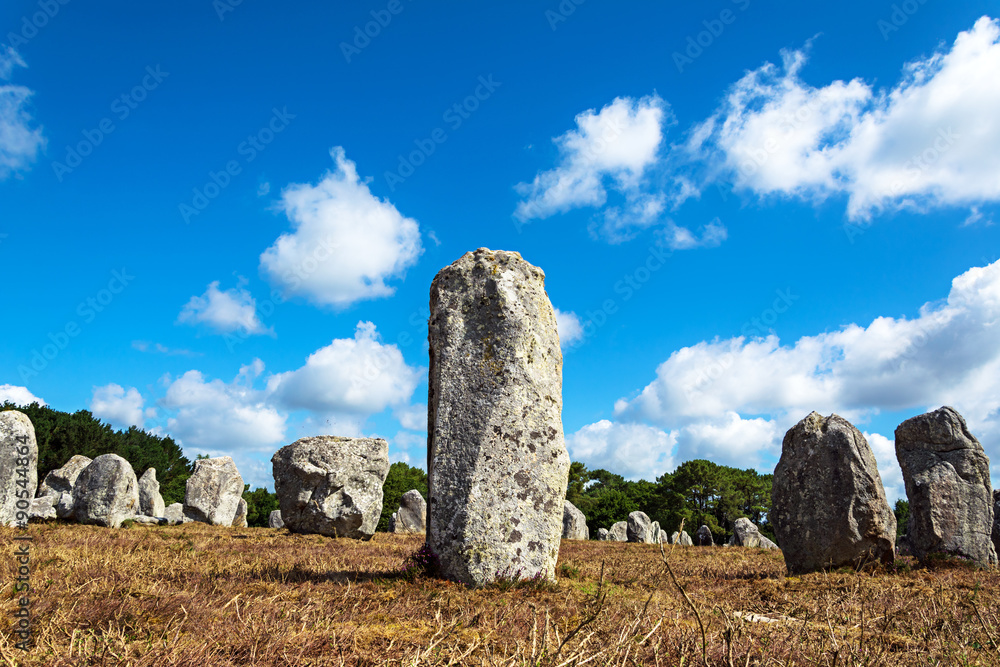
{"points": [[359, 375]]}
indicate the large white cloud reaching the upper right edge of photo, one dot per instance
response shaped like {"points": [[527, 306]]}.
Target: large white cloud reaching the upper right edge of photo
{"points": [[932, 140]]}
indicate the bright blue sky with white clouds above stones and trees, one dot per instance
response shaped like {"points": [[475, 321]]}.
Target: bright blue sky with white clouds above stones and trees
{"points": [[220, 221]]}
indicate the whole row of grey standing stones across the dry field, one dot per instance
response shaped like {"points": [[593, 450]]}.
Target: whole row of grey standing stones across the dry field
{"points": [[498, 465]]}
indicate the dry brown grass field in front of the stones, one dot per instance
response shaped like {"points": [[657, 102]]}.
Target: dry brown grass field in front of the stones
{"points": [[201, 596]]}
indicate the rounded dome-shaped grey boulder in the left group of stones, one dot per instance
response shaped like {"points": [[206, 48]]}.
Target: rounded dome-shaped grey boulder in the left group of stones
{"points": [[106, 492]]}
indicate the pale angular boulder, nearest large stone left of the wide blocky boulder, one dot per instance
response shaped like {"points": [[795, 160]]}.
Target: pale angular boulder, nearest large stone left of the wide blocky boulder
{"points": [[213, 491]]}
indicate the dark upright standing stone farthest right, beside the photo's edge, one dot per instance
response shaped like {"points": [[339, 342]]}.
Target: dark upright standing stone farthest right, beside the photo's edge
{"points": [[947, 477]]}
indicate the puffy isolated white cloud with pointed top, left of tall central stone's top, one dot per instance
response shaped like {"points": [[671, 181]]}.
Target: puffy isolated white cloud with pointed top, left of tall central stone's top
{"points": [[345, 242]]}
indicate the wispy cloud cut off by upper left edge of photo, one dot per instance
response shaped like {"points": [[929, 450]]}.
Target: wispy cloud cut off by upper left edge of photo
{"points": [[19, 141]]}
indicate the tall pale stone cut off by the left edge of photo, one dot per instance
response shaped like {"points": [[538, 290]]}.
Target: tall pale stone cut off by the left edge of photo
{"points": [[18, 467]]}
